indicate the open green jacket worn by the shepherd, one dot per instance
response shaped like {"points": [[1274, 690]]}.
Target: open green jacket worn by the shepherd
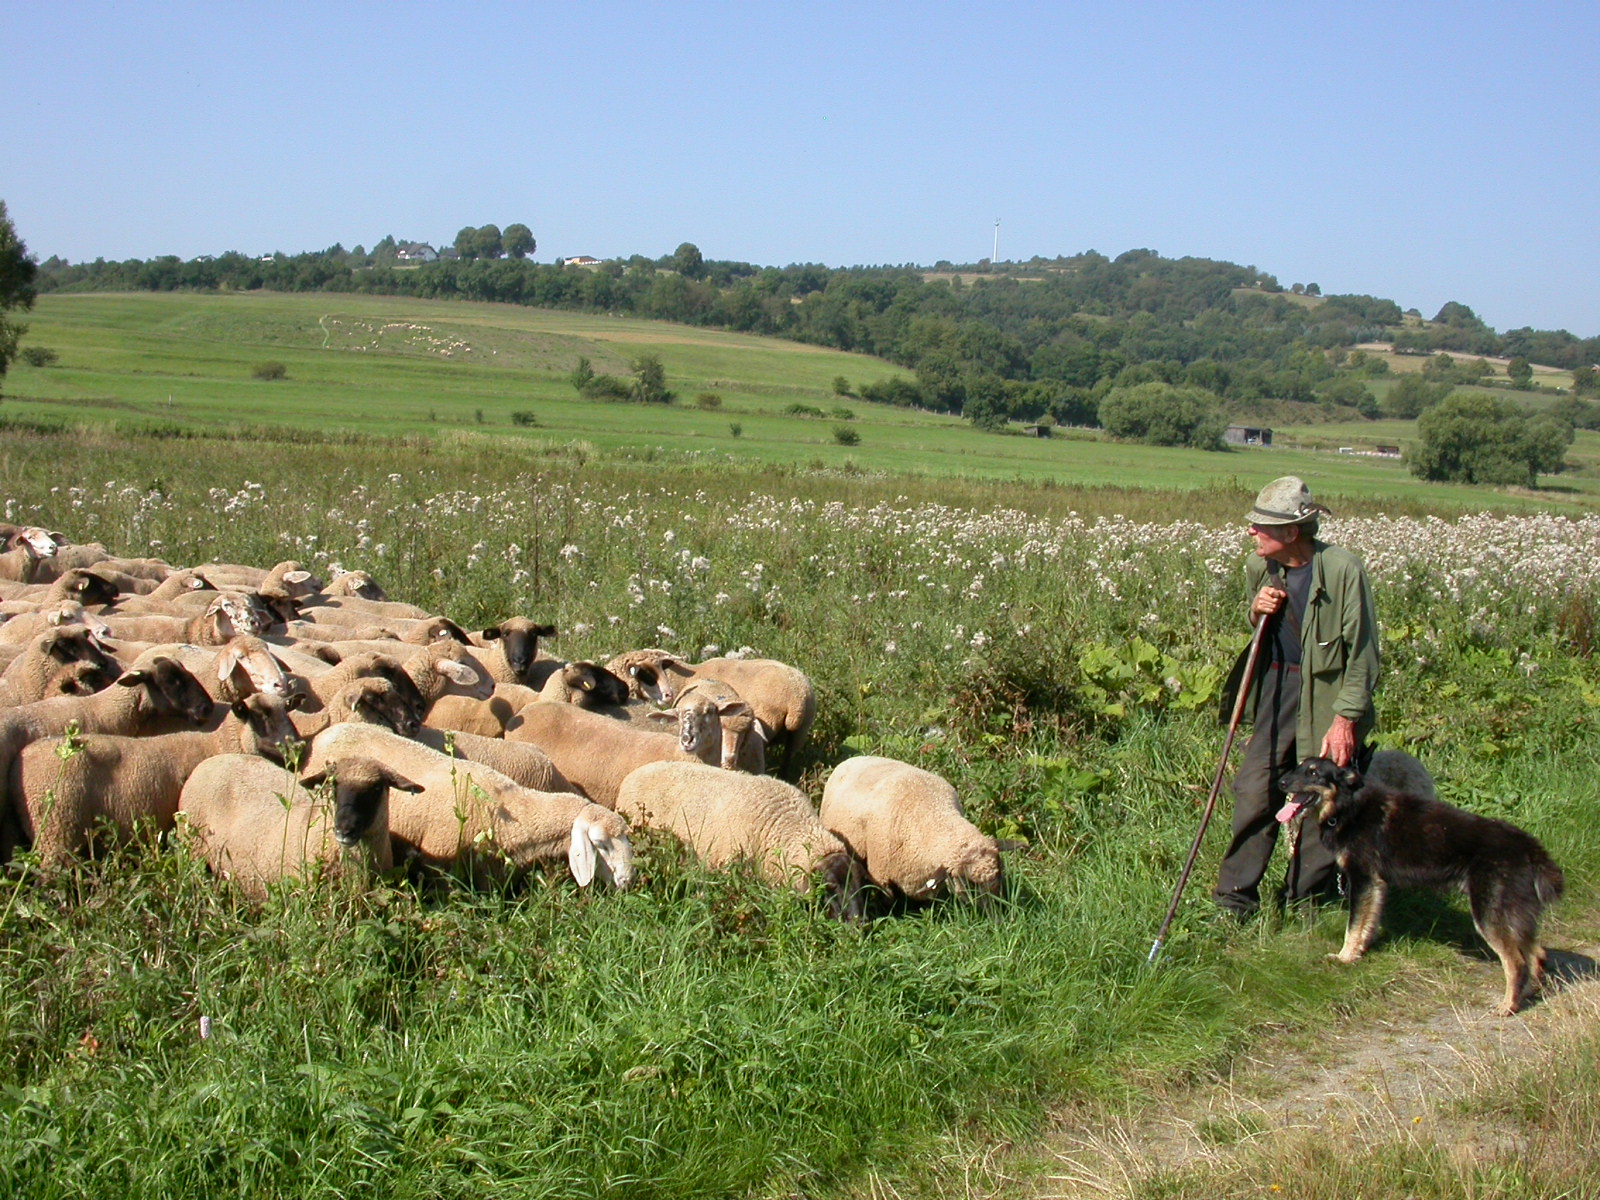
{"points": [[1338, 646]]}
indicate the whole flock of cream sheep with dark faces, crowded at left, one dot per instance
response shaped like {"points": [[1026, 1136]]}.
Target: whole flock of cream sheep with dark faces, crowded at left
{"points": [[290, 727]]}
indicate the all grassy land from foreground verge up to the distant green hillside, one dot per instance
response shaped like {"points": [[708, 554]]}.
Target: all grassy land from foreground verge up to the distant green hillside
{"points": [[1047, 633]]}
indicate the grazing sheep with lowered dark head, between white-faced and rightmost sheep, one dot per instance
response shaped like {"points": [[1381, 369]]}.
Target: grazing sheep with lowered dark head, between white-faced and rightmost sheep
{"points": [[726, 815]]}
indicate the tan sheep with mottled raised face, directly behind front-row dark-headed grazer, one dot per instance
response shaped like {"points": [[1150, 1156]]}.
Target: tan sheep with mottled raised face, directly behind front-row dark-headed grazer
{"points": [[596, 753]]}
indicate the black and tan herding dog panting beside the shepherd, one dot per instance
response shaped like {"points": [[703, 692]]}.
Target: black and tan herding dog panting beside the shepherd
{"points": [[1385, 838]]}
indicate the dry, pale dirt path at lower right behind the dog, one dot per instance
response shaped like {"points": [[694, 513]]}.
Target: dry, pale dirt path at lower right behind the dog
{"points": [[1364, 1079]]}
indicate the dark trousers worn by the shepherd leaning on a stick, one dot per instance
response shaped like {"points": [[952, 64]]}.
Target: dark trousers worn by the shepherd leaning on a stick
{"points": [[1270, 754]]}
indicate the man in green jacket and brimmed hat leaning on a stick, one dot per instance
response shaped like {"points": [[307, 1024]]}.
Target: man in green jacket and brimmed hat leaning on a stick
{"points": [[1313, 694]]}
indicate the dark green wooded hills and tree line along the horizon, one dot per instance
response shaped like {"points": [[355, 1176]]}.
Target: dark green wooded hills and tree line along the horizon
{"points": [[1022, 342]]}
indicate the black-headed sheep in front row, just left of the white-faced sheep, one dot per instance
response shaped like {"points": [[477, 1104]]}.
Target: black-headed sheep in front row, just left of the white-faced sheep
{"points": [[255, 825]]}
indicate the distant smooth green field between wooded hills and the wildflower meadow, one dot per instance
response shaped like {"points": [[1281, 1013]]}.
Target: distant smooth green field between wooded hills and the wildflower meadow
{"points": [[398, 367]]}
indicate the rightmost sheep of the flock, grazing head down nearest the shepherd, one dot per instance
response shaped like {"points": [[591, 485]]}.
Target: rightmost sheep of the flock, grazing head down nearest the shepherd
{"points": [[908, 828]]}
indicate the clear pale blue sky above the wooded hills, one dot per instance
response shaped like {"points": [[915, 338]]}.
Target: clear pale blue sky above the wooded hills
{"points": [[1422, 153]]}
